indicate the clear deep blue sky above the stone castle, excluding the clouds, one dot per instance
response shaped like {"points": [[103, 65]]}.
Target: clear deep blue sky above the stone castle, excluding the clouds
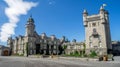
{"points": [[64, 17]]}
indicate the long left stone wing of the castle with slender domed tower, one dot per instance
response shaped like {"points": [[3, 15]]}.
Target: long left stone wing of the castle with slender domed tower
{"points": [[33, 43]]}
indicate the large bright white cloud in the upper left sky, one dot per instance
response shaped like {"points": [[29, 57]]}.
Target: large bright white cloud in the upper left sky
{"points": [[15, 9]]}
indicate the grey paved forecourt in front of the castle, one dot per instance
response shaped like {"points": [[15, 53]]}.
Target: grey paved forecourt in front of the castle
{"points": [[55, 62]]}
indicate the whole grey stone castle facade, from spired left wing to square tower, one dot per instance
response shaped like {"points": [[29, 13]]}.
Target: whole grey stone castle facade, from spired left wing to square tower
{"points": [[97, 38]]}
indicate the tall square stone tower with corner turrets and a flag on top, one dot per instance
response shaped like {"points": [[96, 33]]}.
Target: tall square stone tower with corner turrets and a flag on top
{"points": [[97, 31]]}
